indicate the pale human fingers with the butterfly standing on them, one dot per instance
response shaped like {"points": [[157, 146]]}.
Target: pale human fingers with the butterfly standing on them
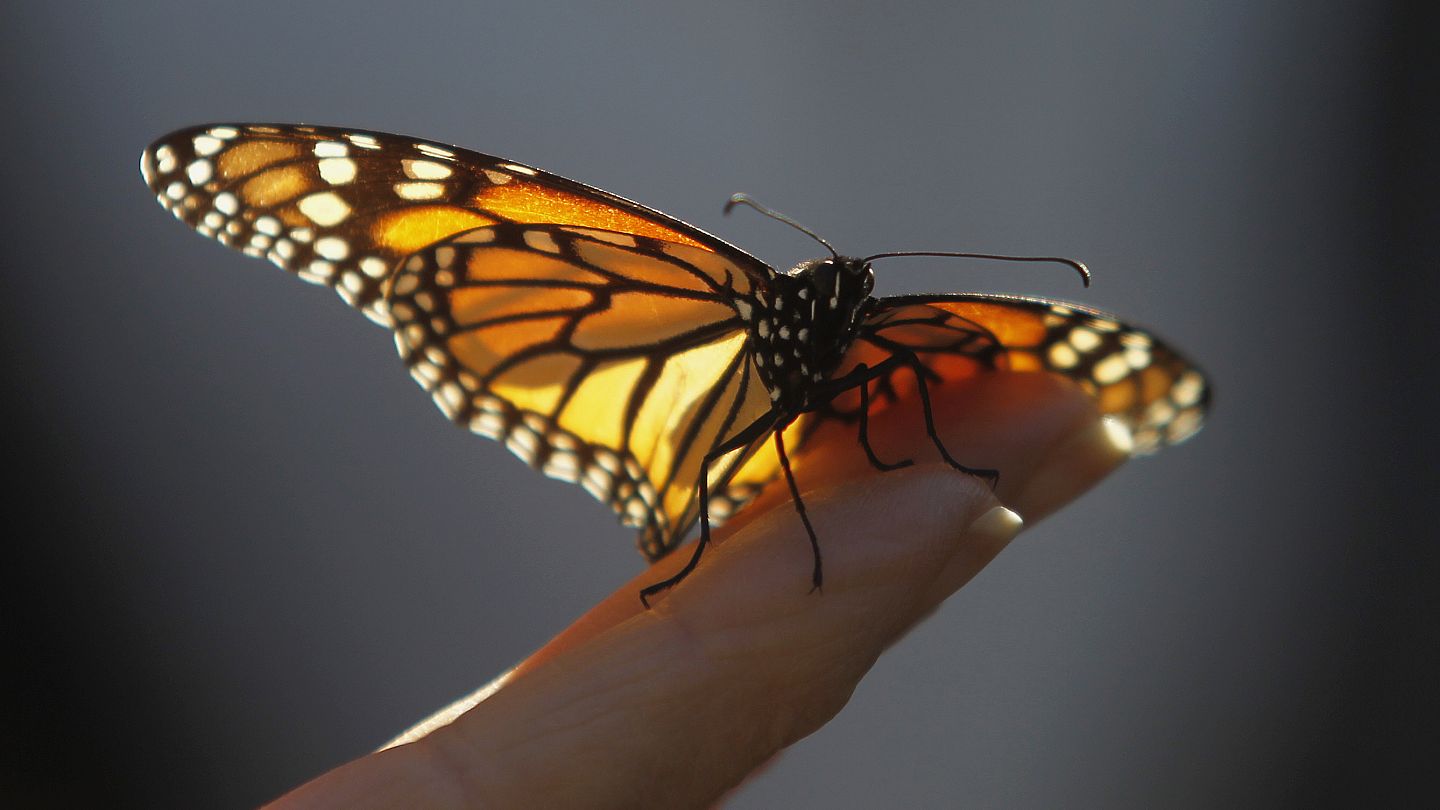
{"points": [[676, 706]]}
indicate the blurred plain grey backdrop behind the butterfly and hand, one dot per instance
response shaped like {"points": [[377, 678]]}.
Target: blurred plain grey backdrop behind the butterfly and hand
{"points": [[247, 548]]}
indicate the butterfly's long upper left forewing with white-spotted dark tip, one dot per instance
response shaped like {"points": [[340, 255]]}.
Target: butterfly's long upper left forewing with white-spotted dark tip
{"points": [[342, 207]]}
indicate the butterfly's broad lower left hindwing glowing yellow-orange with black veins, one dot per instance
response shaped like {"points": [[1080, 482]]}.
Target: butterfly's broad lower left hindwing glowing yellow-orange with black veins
{"points": [[606, 360]]}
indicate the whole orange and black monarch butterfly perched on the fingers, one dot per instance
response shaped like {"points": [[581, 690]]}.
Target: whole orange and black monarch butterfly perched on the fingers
{"points": [[621, 350]]}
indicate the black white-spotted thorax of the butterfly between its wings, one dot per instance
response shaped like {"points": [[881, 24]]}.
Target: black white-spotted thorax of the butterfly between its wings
{"points": [[804, 324]]}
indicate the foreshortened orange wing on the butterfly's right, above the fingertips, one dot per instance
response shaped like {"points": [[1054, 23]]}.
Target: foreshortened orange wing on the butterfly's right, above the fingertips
{"points": [[1135, 378]]}
